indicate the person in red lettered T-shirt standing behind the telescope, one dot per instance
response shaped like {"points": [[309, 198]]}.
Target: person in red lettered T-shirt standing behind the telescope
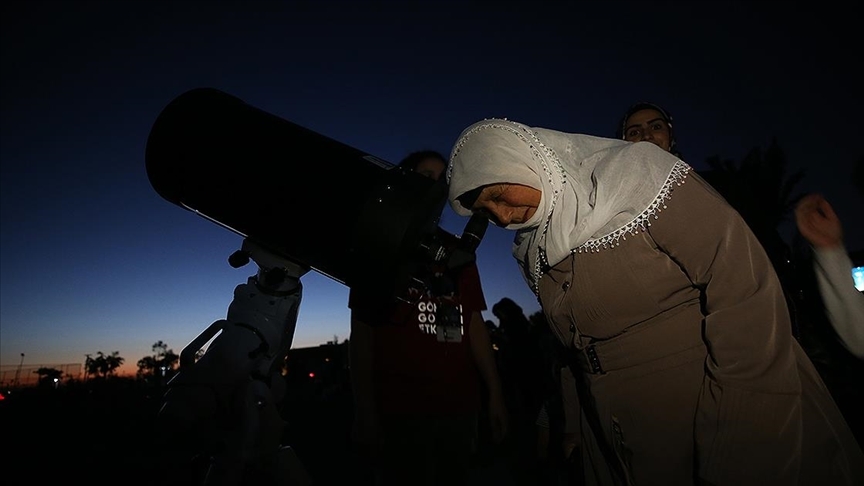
{"points": [[417, 366]]}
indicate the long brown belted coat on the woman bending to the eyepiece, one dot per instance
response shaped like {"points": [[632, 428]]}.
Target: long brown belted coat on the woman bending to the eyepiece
{"points": [[688, 368]]}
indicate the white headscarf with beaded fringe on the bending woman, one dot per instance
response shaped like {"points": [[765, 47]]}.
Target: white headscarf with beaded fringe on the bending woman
{"points": [[594, 190]]}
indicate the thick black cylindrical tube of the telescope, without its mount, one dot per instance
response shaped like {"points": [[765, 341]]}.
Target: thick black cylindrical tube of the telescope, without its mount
{"points": [[316, 201]]}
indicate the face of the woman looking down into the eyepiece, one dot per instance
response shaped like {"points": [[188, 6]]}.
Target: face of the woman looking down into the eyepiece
{"points": [[507, 204]]}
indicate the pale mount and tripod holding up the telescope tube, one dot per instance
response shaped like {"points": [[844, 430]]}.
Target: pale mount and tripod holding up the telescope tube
{"points": [[226, 400]]}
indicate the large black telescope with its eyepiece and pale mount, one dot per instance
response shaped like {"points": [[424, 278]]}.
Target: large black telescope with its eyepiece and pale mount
{"points": [[301, 201]]}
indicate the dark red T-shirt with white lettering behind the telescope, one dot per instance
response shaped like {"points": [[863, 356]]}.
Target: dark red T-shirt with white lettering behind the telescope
{"points": [[422, 360]]}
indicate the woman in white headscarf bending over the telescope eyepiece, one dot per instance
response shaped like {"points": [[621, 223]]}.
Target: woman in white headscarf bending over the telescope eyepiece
{"points": [[684, 359]]}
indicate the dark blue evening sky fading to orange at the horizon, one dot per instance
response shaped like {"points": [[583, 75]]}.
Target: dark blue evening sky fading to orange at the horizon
{"points": [[93, 259]]}
